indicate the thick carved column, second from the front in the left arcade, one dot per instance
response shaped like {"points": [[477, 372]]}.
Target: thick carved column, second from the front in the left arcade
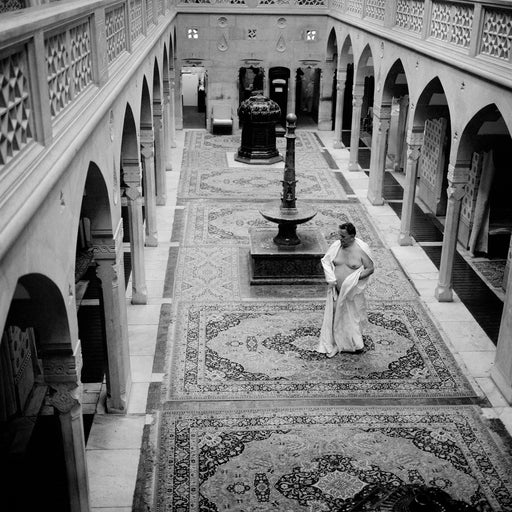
{"points": [[108, 254]]}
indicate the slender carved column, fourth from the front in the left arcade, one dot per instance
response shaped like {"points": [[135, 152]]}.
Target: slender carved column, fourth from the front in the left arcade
{"points": [[147, 150]]}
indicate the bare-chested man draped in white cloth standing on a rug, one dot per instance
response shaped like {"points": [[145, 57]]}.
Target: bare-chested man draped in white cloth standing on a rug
{"points": [[347, 265]]}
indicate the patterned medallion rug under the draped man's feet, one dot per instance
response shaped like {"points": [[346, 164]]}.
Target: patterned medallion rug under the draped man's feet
{"points": [[255, 350]]}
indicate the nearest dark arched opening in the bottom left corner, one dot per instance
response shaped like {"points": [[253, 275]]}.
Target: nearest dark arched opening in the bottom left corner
{"points": [[42, 456]]}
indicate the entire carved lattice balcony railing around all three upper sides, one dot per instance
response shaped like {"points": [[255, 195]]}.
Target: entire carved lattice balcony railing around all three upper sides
{"points": [[480, 32]]}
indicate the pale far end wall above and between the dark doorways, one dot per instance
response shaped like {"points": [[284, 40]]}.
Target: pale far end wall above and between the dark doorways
{"points": [[224, 46]]}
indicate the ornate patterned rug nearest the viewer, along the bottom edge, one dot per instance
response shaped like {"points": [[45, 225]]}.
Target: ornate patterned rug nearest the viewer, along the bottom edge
{"points": [[325, 458]]}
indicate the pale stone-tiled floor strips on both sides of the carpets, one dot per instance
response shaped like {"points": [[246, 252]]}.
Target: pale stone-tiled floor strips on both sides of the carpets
{"points": [[115, 442]]}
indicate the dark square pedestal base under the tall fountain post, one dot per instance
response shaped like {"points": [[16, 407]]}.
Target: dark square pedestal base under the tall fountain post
{"points": [[297, 264]]}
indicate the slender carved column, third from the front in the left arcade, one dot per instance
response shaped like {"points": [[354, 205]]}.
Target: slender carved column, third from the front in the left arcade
{"points": [[131, 177]]}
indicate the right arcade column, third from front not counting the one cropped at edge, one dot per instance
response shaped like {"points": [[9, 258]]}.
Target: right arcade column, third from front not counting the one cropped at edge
{"points": [[381, 121]]}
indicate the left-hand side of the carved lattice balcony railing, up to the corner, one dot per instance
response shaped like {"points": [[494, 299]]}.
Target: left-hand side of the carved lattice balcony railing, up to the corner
{"points": [[72, 61]]}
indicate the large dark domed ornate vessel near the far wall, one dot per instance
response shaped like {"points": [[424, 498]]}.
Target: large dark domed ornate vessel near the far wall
{"points": [[259, 115]]}
